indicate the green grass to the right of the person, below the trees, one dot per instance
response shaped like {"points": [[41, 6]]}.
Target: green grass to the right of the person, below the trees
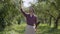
{"points": [[45, 29]]}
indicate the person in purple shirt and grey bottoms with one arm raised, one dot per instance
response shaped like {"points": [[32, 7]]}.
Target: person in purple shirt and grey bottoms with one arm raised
{"points": [[31, 20]]}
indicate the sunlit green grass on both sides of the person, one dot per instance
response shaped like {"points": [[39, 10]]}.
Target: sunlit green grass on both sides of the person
{"points": [[19, 29]]}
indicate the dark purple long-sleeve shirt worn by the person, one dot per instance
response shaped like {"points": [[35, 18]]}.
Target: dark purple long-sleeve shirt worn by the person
{"points": [[30, 20]]}
